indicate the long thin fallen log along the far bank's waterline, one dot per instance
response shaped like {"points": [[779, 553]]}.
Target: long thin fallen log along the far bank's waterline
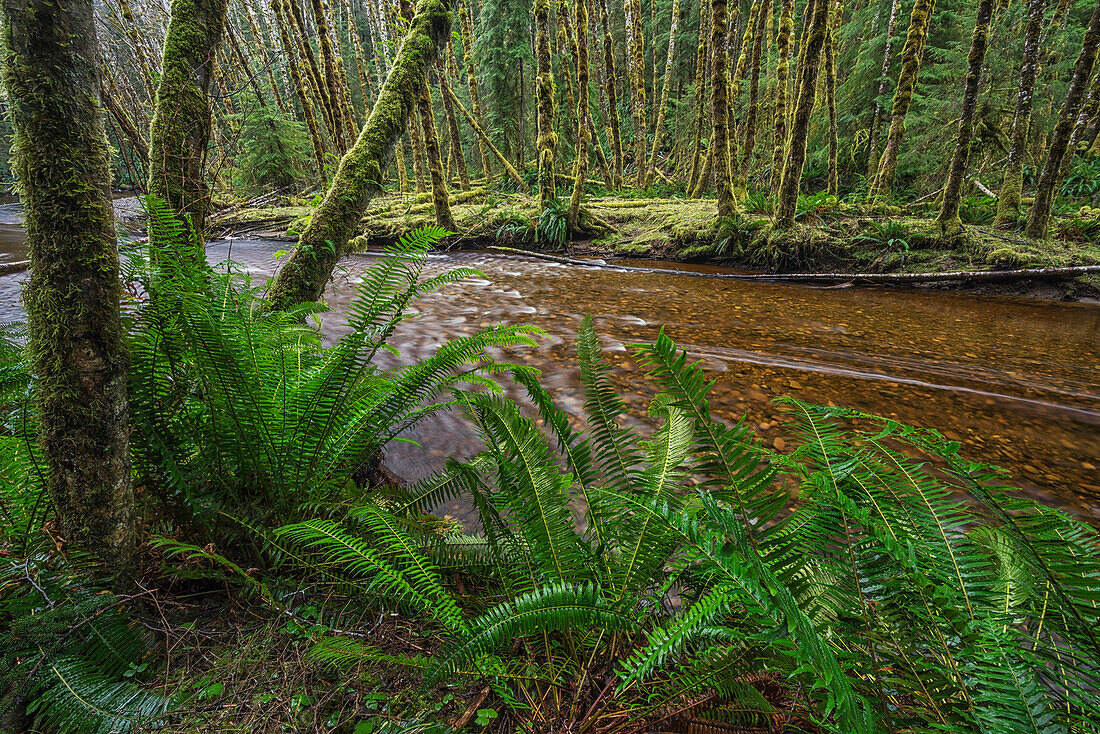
{"points": [[828, 278]]}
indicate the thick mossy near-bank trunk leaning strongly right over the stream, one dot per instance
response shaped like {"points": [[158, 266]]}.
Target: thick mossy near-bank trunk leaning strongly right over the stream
{"points": [[359, 178]]}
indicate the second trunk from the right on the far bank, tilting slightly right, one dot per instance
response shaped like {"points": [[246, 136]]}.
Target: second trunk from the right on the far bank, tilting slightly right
{"points": [[1013, 185]]}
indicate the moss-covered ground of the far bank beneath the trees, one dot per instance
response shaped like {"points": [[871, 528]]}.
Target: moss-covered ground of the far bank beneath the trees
{"points": [[829, 237]]}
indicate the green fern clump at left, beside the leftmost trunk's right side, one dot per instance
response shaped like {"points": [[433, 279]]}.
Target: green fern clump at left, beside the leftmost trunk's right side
{"points": [[240, 411]]}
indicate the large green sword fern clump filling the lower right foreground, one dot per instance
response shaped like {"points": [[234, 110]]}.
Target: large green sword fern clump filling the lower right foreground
{"points": [[966, 617]]}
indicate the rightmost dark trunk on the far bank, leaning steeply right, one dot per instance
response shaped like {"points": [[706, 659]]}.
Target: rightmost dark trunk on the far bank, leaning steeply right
{"points": [[1039, 221]]}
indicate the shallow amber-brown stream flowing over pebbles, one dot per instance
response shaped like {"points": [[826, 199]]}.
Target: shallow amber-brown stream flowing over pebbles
{"points": [[1016, 380]]}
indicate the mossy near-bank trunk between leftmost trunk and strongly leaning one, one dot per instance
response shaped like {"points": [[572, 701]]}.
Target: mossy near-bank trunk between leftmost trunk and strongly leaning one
{"points": [[182, 120]]}
